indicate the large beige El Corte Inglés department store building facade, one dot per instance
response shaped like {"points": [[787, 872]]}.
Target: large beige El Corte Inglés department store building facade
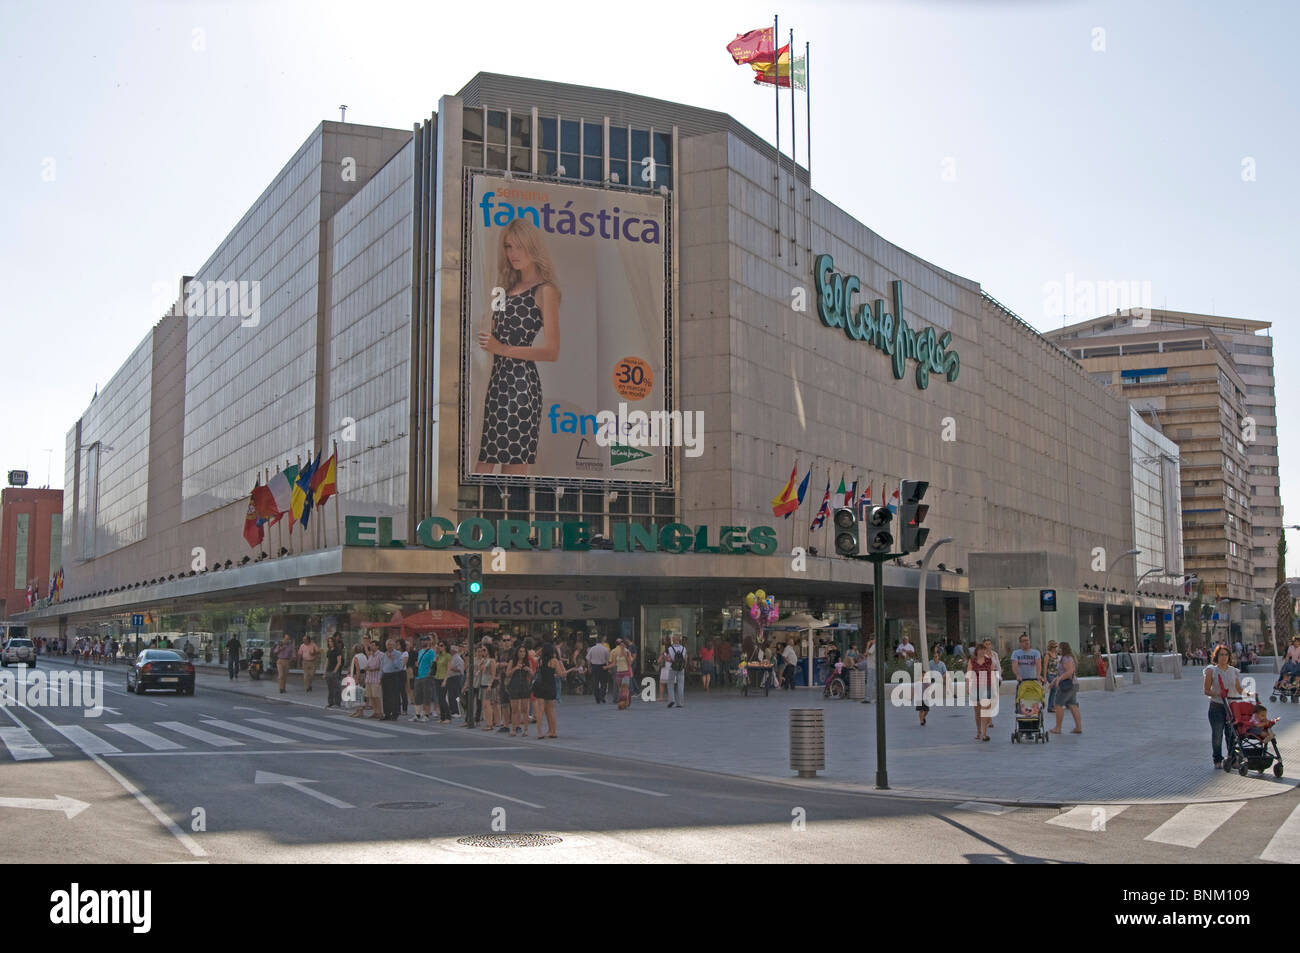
{"points": [[717, 323]]}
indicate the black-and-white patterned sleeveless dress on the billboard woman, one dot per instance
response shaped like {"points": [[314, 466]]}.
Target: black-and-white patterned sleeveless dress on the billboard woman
{"points": [[513, 411]]}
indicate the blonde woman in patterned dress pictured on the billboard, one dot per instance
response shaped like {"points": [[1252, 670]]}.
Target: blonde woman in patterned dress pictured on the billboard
{"points": [[513, 409]]}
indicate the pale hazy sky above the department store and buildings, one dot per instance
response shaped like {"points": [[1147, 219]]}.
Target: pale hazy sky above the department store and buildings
{"points": [[1019, 144]]}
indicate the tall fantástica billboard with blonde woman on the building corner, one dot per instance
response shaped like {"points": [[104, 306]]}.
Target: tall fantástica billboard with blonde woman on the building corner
{"points": [[566, 341]]}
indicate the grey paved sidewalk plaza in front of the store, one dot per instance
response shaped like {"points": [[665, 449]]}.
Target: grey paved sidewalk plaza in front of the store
{"points": [[1146, 744]]}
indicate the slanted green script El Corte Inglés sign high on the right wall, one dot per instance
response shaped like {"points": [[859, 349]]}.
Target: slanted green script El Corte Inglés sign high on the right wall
{"points": [[887, 332]]}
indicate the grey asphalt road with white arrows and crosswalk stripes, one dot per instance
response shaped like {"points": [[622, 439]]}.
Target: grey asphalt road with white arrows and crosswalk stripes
{"points": [[231, 779]]}
